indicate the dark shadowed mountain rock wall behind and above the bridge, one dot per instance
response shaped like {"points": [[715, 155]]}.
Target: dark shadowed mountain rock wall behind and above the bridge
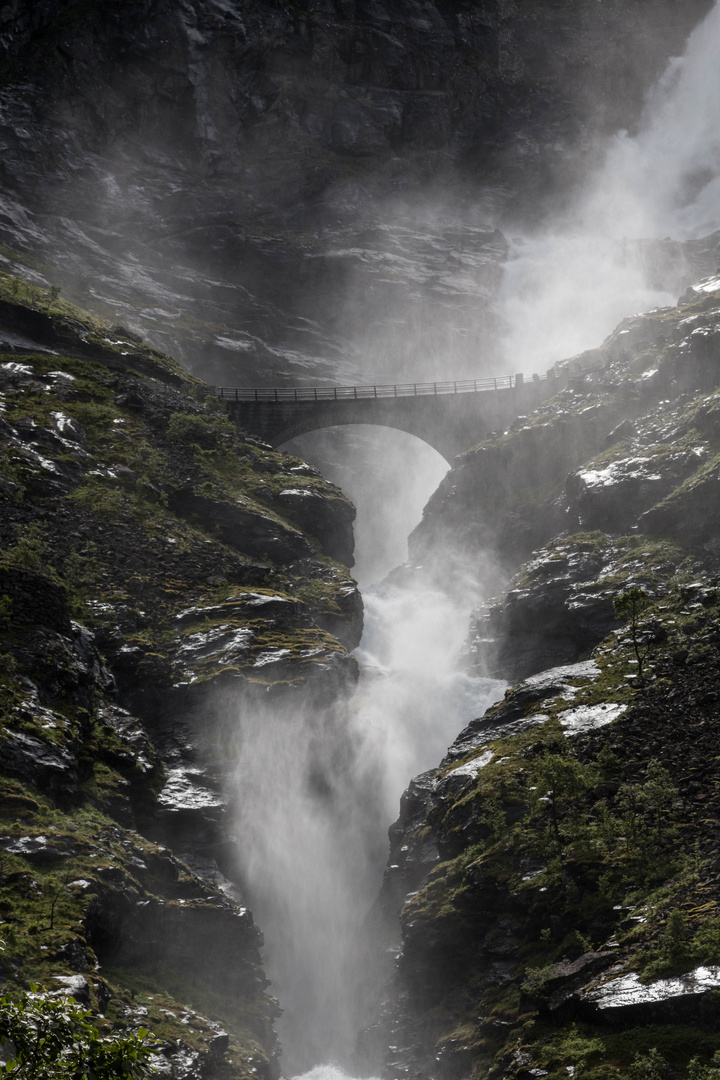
{"points": [[220, 173]]}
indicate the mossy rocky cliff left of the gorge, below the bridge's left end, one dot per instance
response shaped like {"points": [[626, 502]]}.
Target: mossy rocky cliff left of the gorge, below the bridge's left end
{"points": [[159, 574]]}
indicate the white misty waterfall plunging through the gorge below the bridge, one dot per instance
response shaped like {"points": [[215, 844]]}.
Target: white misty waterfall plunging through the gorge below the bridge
{"points": [[318, 790]]}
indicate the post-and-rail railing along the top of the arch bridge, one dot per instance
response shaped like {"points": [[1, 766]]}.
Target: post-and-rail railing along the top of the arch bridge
{"points": [[355, 394]]}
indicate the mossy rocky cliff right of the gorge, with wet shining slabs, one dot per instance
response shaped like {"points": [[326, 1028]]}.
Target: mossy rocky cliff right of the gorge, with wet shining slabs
{"points": [[556, 876]]}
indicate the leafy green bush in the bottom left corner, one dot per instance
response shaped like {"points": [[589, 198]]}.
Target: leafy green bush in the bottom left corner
{"points": [[51, 1038]]}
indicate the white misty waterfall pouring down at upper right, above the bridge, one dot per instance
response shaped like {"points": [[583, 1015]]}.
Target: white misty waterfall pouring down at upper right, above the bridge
{"points": [[567, 287]]}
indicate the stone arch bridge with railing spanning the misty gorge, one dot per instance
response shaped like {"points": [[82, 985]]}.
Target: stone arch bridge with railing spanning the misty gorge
{"points": [[449, 416]]}
